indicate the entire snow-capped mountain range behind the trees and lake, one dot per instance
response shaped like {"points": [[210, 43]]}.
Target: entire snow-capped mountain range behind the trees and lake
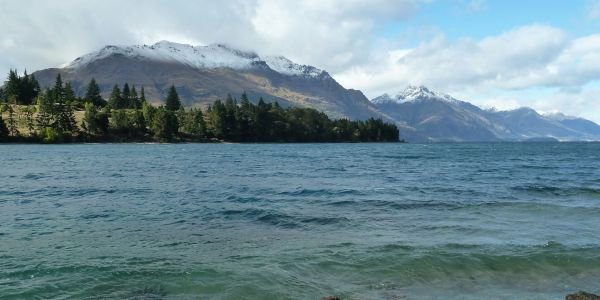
{"points": [[203, 74]]}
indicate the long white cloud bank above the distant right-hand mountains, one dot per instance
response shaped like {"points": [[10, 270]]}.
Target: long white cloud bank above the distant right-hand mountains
{"points": [[529, 56]]}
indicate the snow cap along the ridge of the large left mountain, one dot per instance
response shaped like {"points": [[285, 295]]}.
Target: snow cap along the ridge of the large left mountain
{"points": [[202, 57]]}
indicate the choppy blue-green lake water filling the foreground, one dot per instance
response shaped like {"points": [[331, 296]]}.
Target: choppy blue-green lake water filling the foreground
{"points": [[360, 221]]}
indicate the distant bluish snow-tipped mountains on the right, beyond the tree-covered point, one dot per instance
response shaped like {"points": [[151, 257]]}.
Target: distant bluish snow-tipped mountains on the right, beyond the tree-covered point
{"points": [[439, 117]]}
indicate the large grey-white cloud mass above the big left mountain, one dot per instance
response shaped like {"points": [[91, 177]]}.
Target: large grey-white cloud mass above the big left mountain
{"points": [[331, 34]]}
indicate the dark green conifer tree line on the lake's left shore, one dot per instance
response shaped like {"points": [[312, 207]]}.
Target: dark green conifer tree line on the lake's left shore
{"points": [[33, 115]]}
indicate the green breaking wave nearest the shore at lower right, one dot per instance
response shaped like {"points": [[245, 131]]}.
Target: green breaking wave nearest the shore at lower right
{"points": [[448, 260]]}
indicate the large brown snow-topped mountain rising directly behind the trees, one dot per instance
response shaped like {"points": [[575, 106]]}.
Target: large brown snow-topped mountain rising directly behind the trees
{"points": [[205, 74]]}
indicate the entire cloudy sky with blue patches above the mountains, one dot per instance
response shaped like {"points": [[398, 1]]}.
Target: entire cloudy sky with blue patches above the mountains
{"points": [[501, 54]]}
